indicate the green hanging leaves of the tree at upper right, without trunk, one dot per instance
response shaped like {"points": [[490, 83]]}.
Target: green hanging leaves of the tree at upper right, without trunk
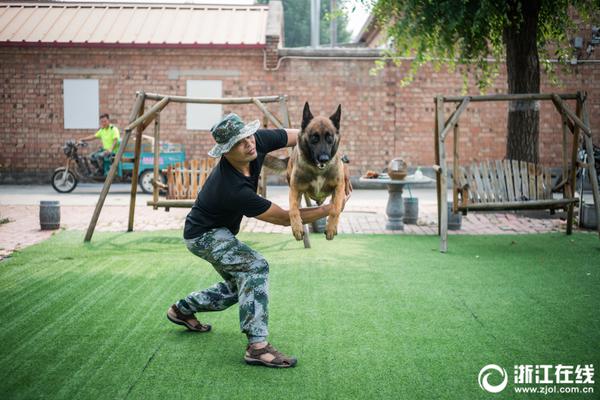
{"points": [[469, 33]]}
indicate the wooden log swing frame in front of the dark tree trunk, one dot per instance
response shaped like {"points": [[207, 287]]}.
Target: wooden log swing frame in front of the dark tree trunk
{"points": [[577, 123]]}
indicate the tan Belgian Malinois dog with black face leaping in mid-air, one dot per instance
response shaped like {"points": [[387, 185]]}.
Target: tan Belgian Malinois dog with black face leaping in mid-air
{"points": [[316, 169]]}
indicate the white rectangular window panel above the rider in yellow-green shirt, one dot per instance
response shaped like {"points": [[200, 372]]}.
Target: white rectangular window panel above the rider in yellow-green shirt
{"points": [[81, 103]]}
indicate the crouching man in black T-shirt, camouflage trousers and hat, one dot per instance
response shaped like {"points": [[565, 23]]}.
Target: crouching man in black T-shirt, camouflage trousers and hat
{"points": [[210, 228]]}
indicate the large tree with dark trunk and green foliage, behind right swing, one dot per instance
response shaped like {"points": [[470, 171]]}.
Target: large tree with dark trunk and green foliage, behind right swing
{"points": [[466, 33]]}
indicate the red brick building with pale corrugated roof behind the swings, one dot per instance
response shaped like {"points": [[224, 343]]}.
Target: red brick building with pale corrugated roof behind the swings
{"points": [[54, 57]]}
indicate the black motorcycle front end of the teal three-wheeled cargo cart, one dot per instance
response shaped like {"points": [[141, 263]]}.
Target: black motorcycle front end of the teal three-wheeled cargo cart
{"points": [[78, 167]]}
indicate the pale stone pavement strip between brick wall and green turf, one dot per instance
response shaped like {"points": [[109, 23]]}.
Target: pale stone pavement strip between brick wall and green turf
{"points": [[364, 213]]}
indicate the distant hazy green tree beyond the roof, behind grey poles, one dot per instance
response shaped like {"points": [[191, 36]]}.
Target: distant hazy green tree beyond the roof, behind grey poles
{"points": [[296, 15]]}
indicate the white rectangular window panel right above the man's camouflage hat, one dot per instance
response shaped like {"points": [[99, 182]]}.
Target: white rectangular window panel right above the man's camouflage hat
{"points": [[203, 116]]}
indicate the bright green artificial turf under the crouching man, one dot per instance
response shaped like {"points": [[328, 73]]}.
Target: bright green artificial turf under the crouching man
{"points": [[368, 317]]}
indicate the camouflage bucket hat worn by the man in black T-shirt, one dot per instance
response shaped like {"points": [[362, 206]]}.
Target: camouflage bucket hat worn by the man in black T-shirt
{"points": [[230, 130]]}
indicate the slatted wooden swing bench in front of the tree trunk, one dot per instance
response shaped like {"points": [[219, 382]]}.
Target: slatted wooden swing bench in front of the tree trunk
{"points": [[505, 185]]}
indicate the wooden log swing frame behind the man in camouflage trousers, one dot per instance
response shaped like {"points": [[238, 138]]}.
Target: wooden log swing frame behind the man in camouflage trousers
{"points": [[139, 120]]}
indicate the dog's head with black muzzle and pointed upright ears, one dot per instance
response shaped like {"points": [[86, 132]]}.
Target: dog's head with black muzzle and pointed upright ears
{"points": [[319, 137]]}
